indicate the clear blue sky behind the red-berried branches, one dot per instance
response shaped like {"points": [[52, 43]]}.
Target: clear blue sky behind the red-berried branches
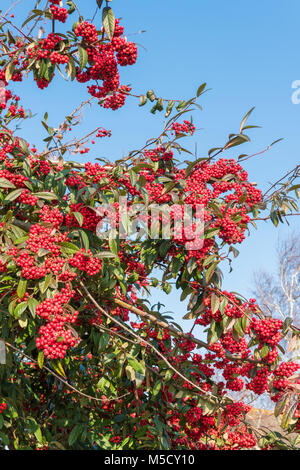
{"points": [[247, 52]]}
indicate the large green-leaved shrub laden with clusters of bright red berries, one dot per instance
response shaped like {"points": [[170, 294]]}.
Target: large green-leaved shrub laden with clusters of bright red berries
{"points": [[88, 363]]}
